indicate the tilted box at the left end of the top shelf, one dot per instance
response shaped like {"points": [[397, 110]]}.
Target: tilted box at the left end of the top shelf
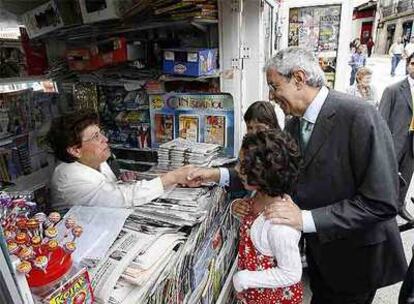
{"points": [[50, 16]]}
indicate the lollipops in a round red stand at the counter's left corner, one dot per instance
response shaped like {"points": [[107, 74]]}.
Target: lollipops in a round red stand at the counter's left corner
{"points": [[35, 240]]}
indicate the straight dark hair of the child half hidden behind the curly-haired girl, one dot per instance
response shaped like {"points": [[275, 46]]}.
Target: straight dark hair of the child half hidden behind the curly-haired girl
{"points": [[263, 112]]}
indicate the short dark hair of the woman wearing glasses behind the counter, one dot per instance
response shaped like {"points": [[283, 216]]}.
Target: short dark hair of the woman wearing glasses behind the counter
{"points": [[66, 131]]}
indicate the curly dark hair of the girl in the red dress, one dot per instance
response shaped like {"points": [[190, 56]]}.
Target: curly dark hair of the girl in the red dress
{"points": [[271, 162]]}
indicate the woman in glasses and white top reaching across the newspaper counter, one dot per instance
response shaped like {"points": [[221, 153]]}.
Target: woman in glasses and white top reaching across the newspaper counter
{"points": [[84, 177]]}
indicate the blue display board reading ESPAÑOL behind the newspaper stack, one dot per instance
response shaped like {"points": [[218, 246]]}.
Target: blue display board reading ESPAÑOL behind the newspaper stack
{"points": [[205, 118]]}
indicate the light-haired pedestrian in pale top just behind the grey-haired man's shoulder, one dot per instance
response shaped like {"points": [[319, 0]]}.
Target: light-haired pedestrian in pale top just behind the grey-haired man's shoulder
{"points": [[363, 87]]}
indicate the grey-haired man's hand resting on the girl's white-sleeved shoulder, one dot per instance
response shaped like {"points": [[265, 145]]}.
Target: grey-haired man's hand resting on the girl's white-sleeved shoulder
{"points": [[285, 212]]}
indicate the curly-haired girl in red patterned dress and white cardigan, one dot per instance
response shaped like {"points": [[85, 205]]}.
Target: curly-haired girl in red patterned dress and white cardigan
{"points": [[269, 264]]}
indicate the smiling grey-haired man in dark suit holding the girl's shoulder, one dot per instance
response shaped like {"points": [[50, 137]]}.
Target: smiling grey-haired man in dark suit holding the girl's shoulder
{"points": [[346, 199]]}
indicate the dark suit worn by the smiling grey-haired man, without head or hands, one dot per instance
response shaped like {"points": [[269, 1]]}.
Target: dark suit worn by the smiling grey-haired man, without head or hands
{"points": [[349, 181]]}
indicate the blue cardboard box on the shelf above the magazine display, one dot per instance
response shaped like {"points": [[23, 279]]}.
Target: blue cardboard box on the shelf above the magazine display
{"points": [[190, 62]]}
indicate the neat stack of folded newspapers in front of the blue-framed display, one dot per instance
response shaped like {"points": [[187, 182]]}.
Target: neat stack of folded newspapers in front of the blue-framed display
{"points": [[179, 152]]}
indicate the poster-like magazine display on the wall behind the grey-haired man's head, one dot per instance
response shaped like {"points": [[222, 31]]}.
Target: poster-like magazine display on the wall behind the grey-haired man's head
{"points": [[317, 28]]}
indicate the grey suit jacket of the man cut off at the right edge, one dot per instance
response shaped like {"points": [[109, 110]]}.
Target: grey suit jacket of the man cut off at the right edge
{"points": [[396, 107]]}
